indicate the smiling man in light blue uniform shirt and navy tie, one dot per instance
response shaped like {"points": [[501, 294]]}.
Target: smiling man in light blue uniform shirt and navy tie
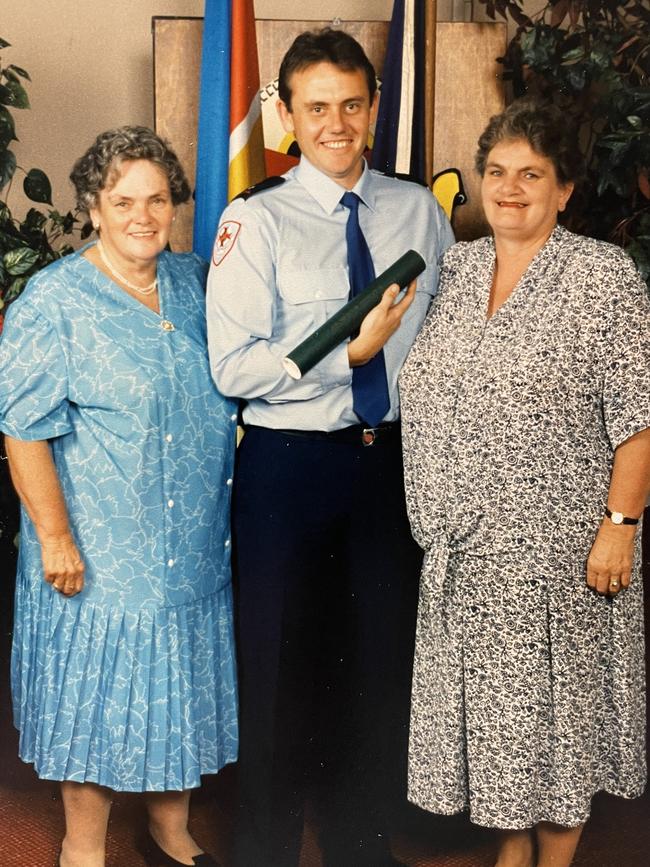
{"points": [[325, 565]]}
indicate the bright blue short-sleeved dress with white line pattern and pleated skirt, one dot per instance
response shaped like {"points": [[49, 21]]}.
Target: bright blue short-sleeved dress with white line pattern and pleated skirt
{"points": [[131, 683]]}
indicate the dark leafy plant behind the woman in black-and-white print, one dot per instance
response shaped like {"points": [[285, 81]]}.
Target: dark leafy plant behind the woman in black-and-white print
{"points": [[592, 58]]}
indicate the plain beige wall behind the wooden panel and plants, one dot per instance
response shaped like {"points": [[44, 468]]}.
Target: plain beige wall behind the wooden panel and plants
{"points": [[91, 68]]}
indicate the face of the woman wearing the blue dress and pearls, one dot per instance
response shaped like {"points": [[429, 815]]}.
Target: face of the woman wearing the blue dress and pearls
{"points": [[135, 214]]}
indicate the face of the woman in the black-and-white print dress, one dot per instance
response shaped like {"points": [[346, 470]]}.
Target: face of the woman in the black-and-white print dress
{"points": [[521, 193]]}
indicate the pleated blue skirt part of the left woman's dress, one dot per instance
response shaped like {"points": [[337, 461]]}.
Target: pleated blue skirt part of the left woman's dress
{"points": [[140, 700]]}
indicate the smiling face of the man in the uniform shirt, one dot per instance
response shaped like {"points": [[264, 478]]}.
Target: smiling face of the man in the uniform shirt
{"points": [[330, 117]]}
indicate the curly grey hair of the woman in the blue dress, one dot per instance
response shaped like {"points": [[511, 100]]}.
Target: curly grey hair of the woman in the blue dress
{"points": [[99, 167]]}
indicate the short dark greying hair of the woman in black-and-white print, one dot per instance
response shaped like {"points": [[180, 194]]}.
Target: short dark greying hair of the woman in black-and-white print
{"points": [[545, 128]]}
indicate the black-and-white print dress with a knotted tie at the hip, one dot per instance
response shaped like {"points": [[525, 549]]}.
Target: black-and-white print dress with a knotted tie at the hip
{"points": [[528, 690]]}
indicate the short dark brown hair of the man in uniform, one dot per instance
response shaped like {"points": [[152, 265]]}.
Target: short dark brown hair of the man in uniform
{"points": [[324, 46]]}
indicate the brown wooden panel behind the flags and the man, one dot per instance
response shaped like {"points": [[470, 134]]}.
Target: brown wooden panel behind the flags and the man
{"points": [[467, 93]]}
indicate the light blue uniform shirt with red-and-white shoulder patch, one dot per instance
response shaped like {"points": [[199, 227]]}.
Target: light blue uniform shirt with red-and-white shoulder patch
{"points": [[279, 271]]}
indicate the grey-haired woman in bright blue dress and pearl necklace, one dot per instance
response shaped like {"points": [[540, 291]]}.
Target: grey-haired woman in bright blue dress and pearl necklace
{"points": [[121, 450]]}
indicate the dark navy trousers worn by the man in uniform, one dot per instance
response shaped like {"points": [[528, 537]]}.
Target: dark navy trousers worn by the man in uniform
{"points": [[326, 578]]}
